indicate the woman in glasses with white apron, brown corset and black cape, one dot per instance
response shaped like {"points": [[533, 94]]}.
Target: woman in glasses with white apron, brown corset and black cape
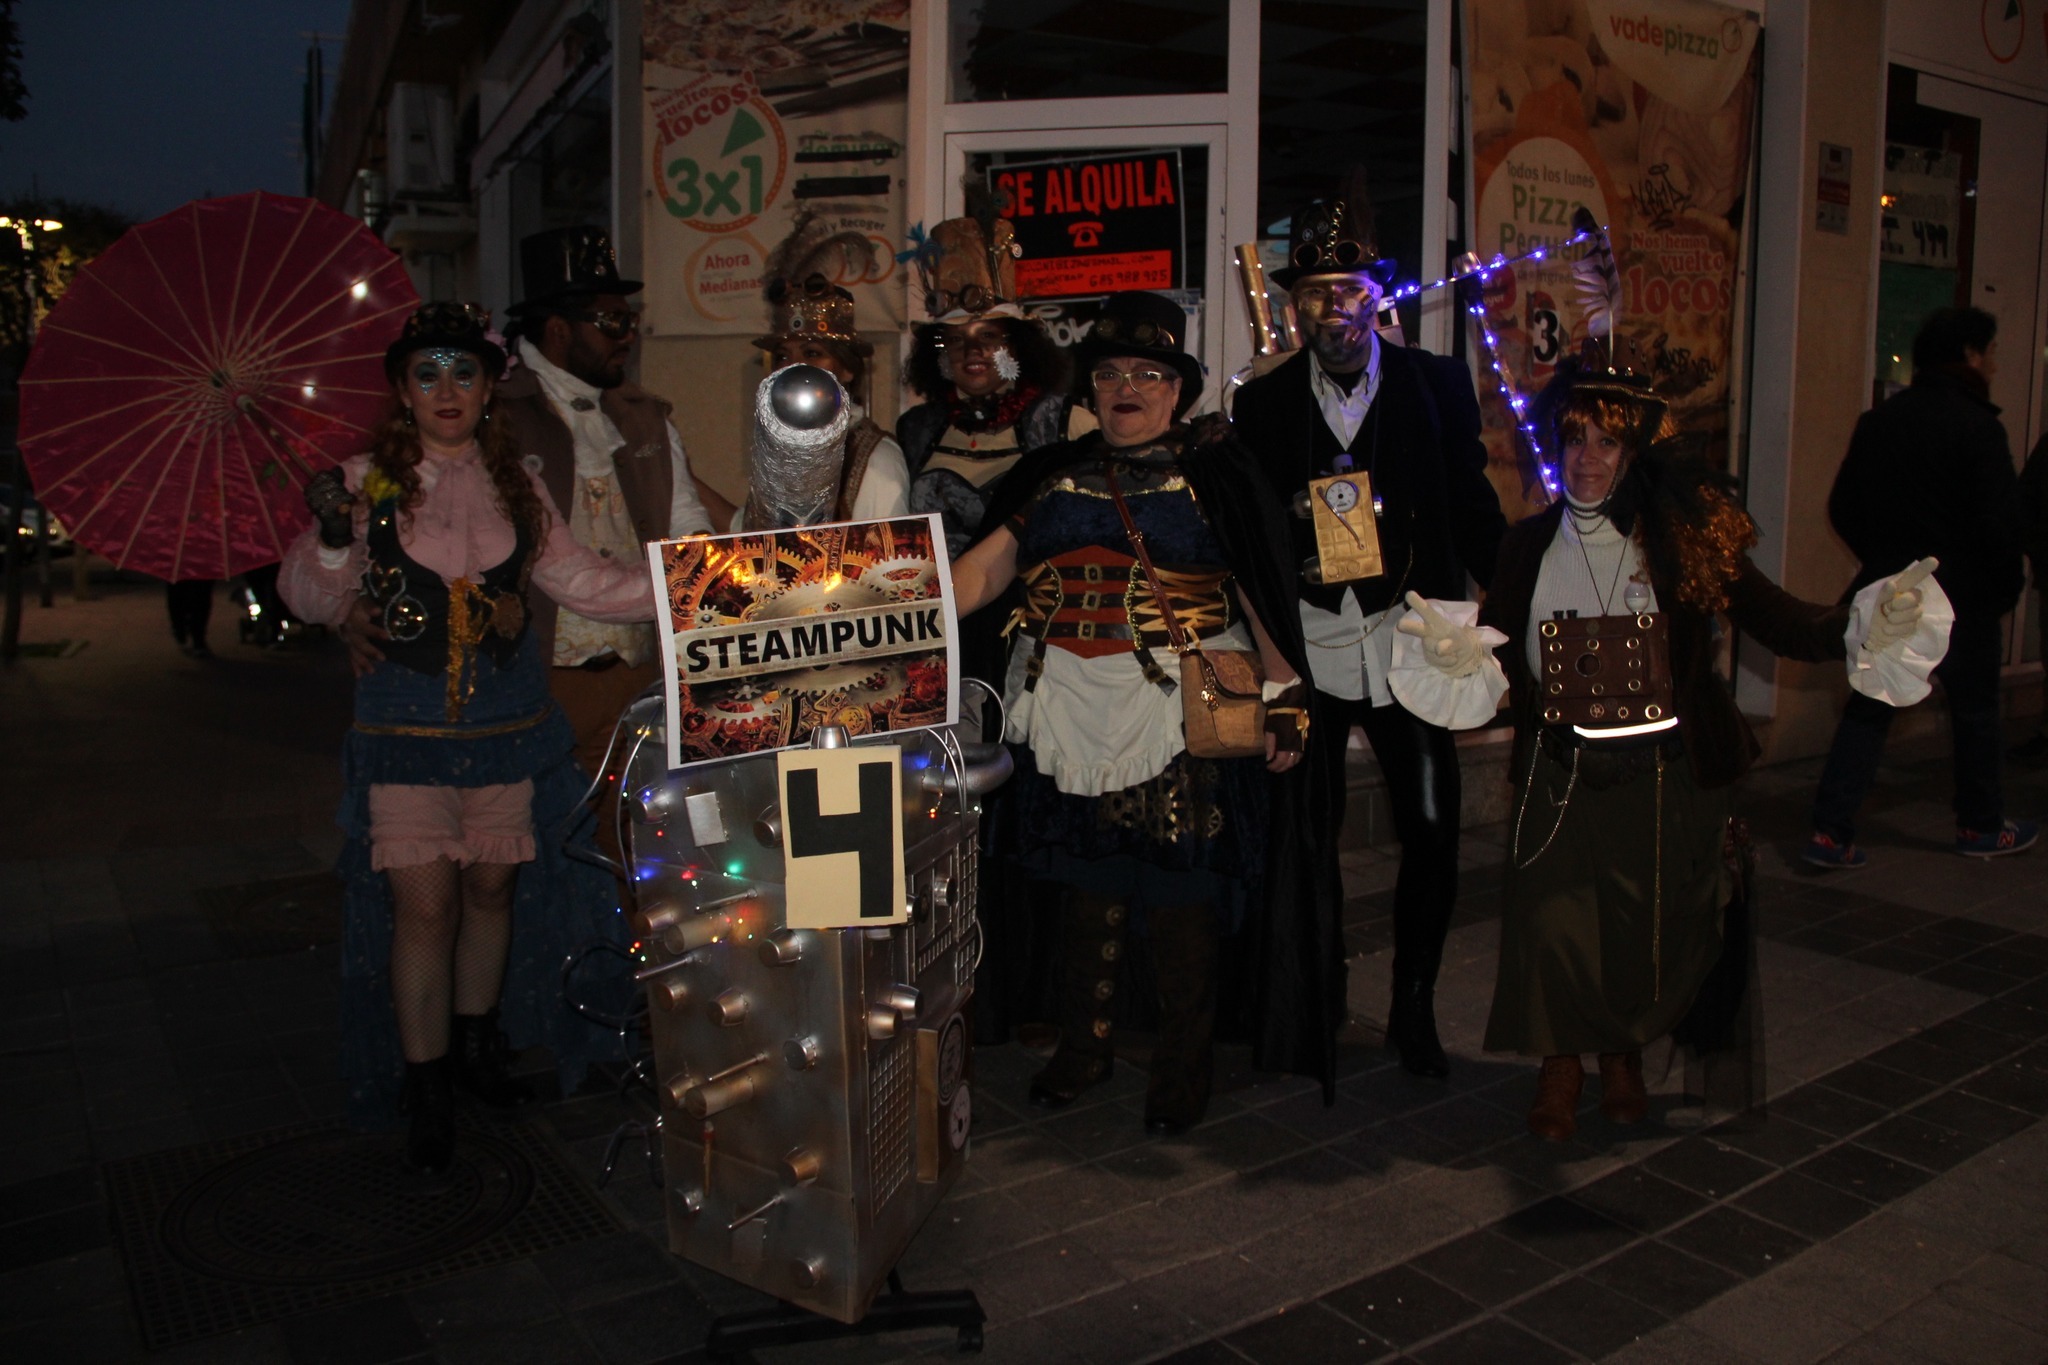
{"points": [[1146, 836]]}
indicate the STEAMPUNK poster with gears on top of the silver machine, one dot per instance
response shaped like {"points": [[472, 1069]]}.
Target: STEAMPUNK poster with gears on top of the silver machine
{"points": [[771, 635]]}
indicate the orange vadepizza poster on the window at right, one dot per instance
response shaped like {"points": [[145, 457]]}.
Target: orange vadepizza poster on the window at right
{"points": [[1641, 114]]}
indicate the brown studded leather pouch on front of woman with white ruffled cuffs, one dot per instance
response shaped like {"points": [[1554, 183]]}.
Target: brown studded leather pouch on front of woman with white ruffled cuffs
{"points": [[1607, 672]]}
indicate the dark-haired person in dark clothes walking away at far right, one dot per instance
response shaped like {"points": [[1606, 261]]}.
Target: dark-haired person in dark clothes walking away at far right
{"points": [[1930, 474]]}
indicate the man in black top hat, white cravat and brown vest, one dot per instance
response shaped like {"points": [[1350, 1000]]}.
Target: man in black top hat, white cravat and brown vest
{"points": [[609, 457]]}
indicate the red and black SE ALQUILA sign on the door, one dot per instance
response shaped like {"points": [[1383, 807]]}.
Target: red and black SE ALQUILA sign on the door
{"points": [[1095, 226]]}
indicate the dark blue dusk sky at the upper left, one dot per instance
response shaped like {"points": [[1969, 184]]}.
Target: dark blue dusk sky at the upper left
{"points": [[142, 105]]}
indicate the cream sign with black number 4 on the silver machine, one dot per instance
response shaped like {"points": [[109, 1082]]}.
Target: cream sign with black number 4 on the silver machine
{"points": [[843, 838]]}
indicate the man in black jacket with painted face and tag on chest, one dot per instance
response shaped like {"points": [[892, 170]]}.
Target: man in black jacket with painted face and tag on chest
{"points": [[1408, 421]]}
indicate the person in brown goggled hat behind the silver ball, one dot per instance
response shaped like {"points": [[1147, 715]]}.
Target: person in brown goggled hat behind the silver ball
{"points": [[814, 324]]}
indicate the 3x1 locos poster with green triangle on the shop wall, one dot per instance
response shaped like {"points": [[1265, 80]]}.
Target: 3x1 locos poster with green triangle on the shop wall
{"points": [[775, 136]]}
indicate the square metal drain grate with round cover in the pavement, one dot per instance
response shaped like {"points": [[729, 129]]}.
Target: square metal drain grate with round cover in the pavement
{"points": [[228, 1235]]}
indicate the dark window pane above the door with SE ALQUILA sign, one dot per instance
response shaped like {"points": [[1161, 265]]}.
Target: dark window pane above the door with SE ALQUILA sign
{"points": [[1066, 50]]}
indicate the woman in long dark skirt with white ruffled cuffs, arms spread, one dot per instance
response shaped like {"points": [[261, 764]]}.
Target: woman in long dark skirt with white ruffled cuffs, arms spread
{"points": [[1625, 908]]}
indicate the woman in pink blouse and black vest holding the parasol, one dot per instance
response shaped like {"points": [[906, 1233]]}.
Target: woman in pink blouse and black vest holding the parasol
{"points": [[443, 531]]}
